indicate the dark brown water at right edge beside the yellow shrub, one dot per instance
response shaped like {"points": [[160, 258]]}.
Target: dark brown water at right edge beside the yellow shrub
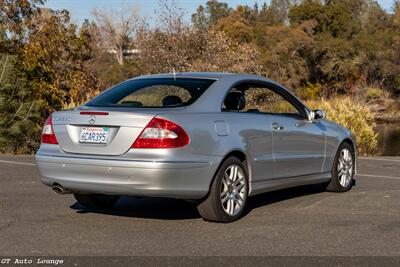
{"points": [[388, 139]]}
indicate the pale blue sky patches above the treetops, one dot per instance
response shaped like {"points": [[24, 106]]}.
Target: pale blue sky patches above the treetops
{"points": [[81, 9]]}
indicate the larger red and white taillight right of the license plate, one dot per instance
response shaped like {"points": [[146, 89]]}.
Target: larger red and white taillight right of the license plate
{"points": [[161, 133]]}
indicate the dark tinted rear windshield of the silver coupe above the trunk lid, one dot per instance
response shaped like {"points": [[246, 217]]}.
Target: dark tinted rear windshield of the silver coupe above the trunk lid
{"points": [[153, 93]]}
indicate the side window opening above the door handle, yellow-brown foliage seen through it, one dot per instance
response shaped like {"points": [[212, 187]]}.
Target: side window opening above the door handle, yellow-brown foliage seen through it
{"points": [[262, 99]]}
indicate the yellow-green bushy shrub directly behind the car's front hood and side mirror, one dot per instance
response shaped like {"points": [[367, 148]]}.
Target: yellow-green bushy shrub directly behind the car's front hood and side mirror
{"points": [[352, 115]]}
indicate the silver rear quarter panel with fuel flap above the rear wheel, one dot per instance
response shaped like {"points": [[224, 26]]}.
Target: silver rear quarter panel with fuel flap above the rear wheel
{"points": [[245, 132]]}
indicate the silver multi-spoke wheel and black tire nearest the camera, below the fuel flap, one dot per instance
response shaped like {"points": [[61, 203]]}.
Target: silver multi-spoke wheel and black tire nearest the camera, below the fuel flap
{"points": [[227, 198]]}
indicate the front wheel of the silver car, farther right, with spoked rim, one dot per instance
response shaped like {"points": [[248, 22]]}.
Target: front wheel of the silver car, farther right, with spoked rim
{"points": [[343, 169]]}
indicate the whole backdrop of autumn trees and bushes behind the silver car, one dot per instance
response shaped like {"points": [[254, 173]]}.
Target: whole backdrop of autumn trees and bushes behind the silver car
{"points": [[339, 49]]}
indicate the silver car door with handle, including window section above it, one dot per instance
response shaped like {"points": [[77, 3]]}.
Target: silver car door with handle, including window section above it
{"points": [[298, 144]]}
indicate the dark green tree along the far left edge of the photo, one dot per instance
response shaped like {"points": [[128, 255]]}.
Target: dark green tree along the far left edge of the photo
{"points": [[20, 112]]}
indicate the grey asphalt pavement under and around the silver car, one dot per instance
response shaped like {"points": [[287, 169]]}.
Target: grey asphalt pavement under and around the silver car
{"points": [[302, 221]]}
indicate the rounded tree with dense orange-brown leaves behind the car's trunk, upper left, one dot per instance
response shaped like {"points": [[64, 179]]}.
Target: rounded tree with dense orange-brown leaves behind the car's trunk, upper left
{"points": [[54, 62]]}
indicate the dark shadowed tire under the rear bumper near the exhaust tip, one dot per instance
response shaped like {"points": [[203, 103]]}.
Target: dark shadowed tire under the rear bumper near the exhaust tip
{"points": [[96, 201]]}
